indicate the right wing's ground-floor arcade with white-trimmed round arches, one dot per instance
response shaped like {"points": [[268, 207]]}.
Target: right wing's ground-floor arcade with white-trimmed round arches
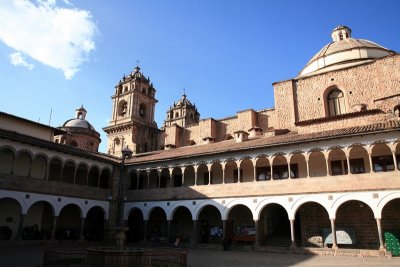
{"points": [[360, 219]]}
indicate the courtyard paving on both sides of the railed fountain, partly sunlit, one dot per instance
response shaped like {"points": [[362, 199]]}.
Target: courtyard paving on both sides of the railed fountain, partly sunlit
{"points": [[31, 256]]}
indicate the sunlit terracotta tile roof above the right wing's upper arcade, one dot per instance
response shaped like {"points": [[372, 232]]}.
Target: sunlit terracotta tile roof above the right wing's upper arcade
{"points": [[230, 145]]}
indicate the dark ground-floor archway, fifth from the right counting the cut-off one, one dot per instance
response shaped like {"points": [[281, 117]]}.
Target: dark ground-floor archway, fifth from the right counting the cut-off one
{"points": [[240, 225]]}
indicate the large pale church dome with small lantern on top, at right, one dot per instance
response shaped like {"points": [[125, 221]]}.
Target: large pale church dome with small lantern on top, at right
{"points": [[344, 51]]}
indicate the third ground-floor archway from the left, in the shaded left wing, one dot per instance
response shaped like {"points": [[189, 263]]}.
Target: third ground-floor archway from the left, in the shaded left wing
{"points": [[69, 223]]}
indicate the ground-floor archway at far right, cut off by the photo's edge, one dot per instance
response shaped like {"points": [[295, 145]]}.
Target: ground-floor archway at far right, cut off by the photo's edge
{"points": [[391, 226]]}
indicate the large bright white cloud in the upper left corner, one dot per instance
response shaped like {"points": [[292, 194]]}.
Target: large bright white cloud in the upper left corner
{"points": [[59, 37]]}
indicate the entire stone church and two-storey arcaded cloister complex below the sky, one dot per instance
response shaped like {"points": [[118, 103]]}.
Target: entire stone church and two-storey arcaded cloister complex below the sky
{"points": [[319, 169]]}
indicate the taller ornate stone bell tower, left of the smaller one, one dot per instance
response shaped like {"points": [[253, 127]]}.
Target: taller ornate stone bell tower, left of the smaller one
{"points": [[132, 121]]}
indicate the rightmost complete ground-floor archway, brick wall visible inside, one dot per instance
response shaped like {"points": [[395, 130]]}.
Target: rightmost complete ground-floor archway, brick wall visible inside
{"points": [[356, 219]]}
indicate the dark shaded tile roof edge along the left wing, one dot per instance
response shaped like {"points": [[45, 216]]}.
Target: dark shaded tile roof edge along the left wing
{"points": [[14, 136]]}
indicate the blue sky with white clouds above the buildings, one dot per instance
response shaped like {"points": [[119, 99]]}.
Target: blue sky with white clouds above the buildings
{"points": [[59, 55]]}
